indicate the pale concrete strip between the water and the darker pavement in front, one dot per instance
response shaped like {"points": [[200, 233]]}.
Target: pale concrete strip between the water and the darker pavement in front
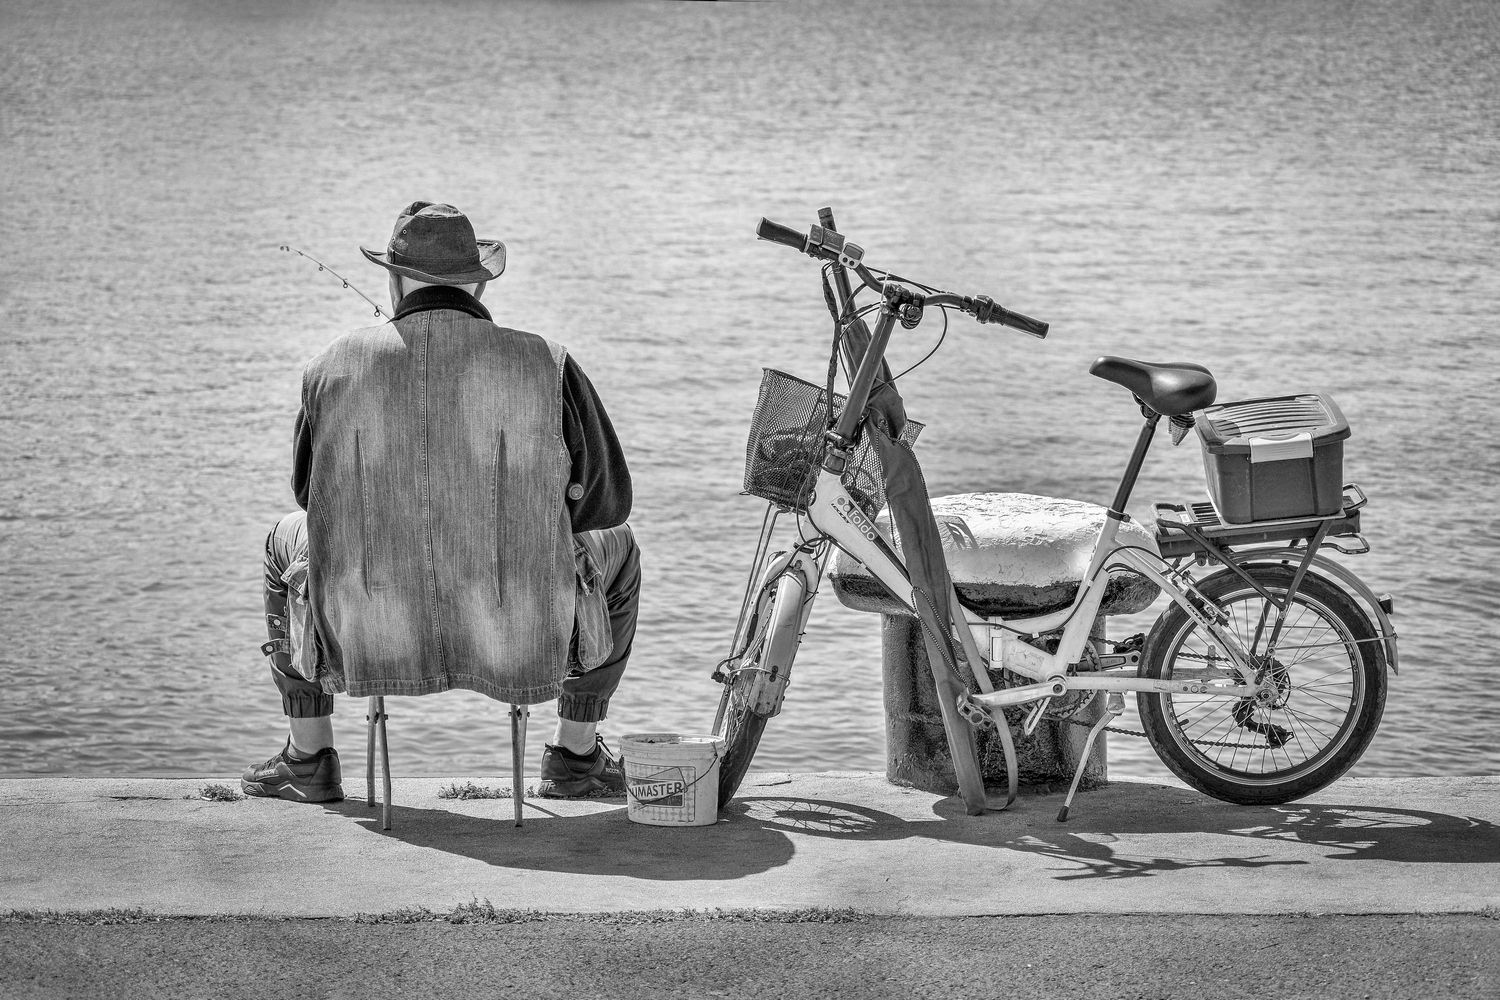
{"points": [[788, 842]]}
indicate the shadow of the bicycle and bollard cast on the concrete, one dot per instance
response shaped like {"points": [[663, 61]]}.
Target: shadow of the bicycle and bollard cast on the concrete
{"points": [[1111, 828]]}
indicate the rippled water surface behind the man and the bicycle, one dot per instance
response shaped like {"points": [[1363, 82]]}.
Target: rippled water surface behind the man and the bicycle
{"points": [[1300, 196]]}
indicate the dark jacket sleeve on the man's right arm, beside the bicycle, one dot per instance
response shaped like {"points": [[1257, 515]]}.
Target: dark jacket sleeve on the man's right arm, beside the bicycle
{"points": [[601, 478]]}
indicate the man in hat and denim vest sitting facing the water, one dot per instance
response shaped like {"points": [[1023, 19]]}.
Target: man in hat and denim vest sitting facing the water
{"points": [[463, 524]]}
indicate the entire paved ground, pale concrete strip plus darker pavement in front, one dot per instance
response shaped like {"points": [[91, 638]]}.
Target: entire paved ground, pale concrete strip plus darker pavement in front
{"points": [[832, 885]]}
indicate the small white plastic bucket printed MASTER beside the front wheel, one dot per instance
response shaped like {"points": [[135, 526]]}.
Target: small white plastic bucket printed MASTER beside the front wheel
{"points": [[673, 780]]}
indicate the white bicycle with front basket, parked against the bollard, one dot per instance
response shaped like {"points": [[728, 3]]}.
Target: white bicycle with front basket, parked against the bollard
{"points": [[1261, 683]]}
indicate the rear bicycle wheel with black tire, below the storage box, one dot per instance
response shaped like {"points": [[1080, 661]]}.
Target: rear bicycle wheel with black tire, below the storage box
{"points": [[1334, 693]]}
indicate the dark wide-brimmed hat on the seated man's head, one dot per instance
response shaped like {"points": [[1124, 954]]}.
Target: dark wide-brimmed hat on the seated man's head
{"points": [[436, 244]]}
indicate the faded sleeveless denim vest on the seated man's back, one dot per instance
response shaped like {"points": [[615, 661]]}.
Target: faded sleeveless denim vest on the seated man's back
{"points": [[440, 549]]}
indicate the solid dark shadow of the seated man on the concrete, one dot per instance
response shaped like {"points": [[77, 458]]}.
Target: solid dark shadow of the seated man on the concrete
{"points": [[596, 843]]}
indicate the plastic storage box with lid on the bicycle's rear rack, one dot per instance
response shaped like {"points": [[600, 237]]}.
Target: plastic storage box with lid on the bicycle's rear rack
{"points": [[1274, 458]]}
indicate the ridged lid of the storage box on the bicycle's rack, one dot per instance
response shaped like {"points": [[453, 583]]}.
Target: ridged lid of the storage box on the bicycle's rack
{"points": [[1273, 428]]}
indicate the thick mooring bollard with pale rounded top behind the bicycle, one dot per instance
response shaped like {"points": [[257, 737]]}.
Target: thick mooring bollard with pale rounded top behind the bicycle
{"points": [[1010, 555]]}
